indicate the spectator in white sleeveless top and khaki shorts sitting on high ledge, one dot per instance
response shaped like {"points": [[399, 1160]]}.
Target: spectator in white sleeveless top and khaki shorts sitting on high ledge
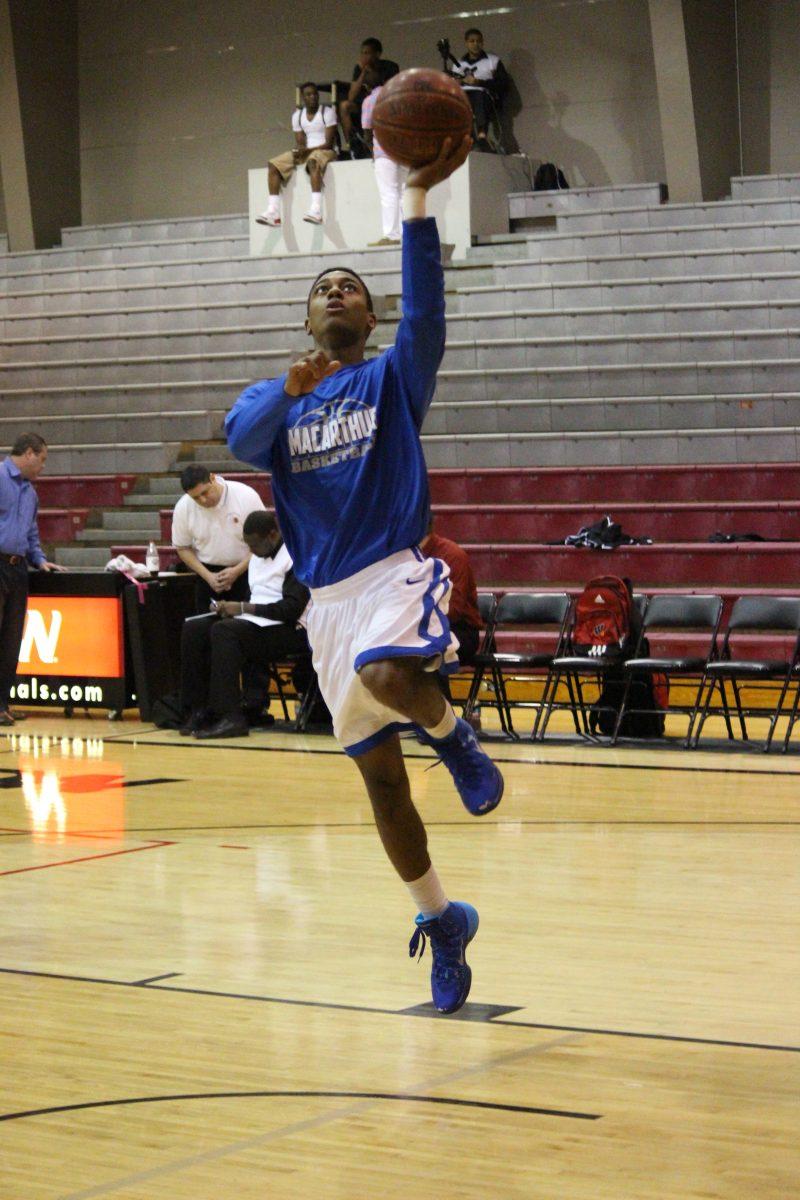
{"points": [[315, 130]]}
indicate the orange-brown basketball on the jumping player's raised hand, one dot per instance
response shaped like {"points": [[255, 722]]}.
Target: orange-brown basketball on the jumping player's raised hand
{"points": [[417, 111]]}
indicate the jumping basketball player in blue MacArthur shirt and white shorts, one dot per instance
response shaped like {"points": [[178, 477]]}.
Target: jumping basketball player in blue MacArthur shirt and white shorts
{"points": [[341, 436]]}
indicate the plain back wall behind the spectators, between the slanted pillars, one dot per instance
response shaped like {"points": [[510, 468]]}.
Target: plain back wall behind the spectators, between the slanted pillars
{"points": [[179, 99]]}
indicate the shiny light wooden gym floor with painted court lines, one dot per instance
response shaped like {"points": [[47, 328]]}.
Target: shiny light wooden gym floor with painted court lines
{"points": [[206, 989]]}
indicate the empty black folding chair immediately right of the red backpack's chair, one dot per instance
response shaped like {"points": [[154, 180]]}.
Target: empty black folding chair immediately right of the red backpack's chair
{"points": [[701, 614]]}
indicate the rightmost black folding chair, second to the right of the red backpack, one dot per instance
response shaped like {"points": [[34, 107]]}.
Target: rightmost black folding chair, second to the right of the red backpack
{"points": [[762, 615]]}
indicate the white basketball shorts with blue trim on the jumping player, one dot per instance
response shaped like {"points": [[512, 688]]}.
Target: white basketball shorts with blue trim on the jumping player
{"points": [[394, 609]]}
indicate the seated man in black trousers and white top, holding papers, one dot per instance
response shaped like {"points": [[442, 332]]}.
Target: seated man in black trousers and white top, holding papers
{"points": [[215, 652]]}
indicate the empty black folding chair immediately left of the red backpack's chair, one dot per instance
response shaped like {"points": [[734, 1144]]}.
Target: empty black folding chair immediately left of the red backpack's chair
{"points": [[548, 613]]}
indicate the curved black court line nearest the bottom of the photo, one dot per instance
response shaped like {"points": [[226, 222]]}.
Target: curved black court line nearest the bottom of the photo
{"points": [[405, 1097]]}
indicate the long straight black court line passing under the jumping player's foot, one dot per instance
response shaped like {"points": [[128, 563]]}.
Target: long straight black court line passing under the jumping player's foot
{"points": [[394, 1012]]}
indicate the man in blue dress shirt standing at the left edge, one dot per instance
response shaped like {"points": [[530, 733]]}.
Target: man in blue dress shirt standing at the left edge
{"points": [[20, 547]]}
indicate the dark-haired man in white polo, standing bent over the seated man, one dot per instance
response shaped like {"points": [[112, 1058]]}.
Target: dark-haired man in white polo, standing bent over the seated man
{"points": [[208, 525]]}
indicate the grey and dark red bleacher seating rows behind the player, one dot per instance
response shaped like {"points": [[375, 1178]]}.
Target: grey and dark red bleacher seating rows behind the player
{"points": [[627, 335]]}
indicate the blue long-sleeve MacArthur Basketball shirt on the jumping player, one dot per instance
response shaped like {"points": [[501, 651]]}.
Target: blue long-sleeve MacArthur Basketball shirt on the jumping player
{"points": [[350, 478]]}
